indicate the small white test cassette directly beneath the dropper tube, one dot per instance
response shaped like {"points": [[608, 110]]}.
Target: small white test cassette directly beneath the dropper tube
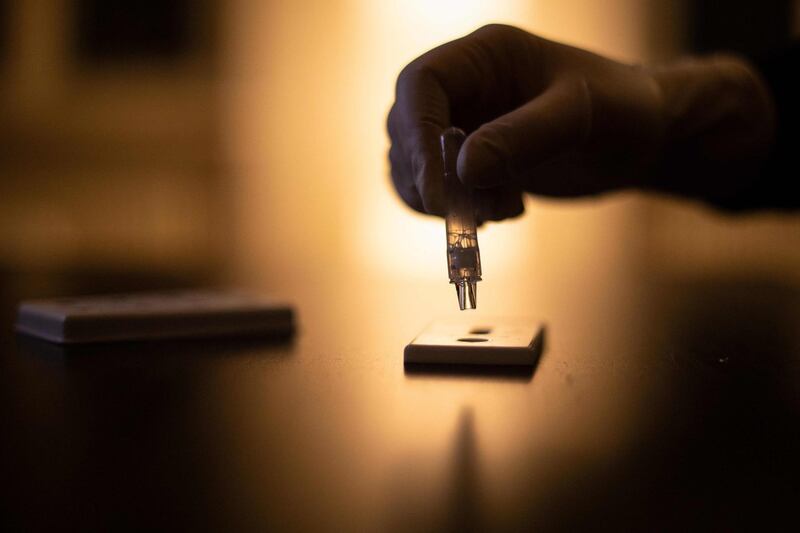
{"points": [[472, 341]]}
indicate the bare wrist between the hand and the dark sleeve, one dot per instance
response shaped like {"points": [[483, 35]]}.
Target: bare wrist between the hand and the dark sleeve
{"points": [[719, 125]]}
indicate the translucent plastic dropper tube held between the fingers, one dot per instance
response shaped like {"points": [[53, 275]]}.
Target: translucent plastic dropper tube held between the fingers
{"points": [[463, 256]]}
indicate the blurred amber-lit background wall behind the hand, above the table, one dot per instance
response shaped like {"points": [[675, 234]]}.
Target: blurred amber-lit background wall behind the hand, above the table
{"points": [[169, 142]]}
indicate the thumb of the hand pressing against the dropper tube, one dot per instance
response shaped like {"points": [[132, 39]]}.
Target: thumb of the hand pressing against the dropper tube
{"points": [[509, 147]]}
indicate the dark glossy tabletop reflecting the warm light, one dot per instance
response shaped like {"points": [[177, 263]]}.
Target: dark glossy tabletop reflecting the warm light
{"points": [[657, 401]]}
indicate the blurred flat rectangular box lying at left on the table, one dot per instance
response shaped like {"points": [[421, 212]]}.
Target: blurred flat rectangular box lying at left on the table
{"points": [[160, 315]]}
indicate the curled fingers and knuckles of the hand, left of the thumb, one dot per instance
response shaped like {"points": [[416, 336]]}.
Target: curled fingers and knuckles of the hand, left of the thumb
{"points": [[461, 77]]}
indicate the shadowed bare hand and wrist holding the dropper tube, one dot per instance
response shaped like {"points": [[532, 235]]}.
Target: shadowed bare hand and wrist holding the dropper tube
{"points": [[553, 120]]}
